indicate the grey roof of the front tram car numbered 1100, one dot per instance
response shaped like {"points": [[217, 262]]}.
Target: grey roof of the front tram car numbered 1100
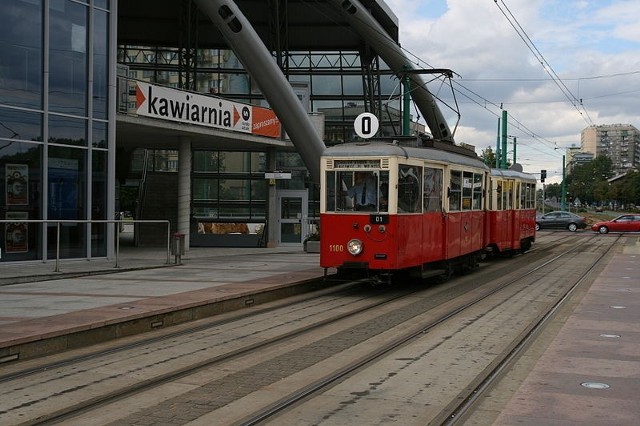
{"points": [[360, 149]]}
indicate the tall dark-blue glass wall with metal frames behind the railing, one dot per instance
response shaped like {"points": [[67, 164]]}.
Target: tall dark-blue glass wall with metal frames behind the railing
{"points": [[54, 127]]}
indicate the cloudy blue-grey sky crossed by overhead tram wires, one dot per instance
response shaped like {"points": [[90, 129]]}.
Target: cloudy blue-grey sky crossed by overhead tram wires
{"points": [[592, 47]]}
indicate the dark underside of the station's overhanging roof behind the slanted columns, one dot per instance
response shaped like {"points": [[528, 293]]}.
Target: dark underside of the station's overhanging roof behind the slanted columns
{"points": [[314, 26]]}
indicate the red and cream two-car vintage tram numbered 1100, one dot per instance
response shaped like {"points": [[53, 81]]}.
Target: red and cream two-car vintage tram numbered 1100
{"points": [[424, 210]]}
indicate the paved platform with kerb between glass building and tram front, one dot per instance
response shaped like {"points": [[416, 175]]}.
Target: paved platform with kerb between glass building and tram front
{"points": [[47, 307]]}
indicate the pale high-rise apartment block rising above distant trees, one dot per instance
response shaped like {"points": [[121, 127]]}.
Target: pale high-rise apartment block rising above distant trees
{"points": [[620, 142]]}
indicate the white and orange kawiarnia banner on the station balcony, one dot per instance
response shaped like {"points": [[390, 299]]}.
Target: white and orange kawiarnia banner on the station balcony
{"points": [[186, 107]]}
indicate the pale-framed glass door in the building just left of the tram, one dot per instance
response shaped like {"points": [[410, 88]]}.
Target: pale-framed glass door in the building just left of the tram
{"points": [[293, 225]]}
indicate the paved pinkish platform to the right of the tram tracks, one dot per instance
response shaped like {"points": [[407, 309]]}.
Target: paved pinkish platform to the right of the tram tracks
{"points": [[589, 373]]}
